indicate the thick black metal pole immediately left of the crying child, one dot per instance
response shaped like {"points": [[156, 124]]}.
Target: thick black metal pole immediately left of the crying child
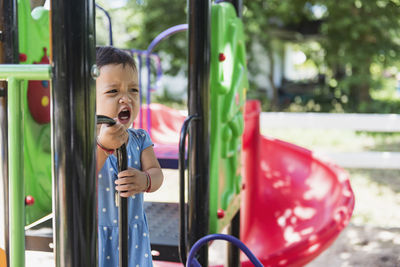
{"points": [[73, 133]]}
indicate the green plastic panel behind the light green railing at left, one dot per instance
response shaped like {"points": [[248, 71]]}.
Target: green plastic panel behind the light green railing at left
{"points": [[33, 30]]}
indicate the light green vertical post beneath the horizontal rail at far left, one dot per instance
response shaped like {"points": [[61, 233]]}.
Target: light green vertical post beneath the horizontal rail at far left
{"points": [[16, 181]]}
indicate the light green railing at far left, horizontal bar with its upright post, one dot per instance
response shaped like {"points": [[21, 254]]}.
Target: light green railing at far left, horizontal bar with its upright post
{"points": [[15, 75]]}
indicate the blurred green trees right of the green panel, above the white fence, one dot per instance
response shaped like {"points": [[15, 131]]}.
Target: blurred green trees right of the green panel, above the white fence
{"points": [[353, 38]]}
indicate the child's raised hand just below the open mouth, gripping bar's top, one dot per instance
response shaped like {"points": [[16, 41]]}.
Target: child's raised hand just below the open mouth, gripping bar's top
{"points": [[112, 137]]}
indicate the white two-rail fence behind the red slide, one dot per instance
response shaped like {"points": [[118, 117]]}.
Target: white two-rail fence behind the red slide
{"points": [[354, 122]]}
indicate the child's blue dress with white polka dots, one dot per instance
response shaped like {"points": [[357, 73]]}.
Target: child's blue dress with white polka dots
{"points": [[138, 239]]}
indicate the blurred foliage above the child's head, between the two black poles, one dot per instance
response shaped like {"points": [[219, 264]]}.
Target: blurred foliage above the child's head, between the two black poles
{"points": [[139, 22]]}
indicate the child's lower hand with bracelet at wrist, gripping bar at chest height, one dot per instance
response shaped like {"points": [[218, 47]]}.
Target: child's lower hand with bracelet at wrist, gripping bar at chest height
{"points": [[131, 182]]}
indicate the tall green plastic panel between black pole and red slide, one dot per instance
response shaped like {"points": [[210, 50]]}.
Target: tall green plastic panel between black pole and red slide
{"points": [[228, 92]]}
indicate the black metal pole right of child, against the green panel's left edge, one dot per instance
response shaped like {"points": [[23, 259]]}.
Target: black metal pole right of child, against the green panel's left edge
{"points": [[199, 104]]}
